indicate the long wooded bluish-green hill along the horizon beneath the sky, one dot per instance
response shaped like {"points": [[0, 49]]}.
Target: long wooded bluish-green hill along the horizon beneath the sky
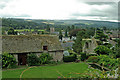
{"points": [[41, 24]]}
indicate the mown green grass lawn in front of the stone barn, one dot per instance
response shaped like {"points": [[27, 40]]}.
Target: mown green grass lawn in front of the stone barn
{"points": [[68, 70]]}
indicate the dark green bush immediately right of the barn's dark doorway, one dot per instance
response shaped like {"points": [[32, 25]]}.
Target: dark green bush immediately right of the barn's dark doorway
{"points": [[32, 60]]}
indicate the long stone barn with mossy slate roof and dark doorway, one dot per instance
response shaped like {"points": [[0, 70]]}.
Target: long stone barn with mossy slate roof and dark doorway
{"points": [[22, 45]]}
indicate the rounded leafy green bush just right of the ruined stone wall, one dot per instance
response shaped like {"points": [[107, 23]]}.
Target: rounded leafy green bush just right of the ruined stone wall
{"points": [[101, 49]]}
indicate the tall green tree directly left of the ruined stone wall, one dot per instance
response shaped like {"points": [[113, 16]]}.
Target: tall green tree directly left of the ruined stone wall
{"points": [[77, 46]]}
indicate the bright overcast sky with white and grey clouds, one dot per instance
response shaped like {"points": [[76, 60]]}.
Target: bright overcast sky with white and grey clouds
{"points": [[60, 9]]}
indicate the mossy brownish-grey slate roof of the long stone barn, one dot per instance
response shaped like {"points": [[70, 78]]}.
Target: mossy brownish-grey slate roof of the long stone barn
{"points": [[30, 43]]}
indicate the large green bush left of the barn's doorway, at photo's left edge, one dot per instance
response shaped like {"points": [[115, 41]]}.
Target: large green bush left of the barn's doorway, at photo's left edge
{"points": [[8, 61]]}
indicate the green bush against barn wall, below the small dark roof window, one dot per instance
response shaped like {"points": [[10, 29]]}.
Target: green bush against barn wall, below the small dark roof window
{"points": [[45, 58]]}
